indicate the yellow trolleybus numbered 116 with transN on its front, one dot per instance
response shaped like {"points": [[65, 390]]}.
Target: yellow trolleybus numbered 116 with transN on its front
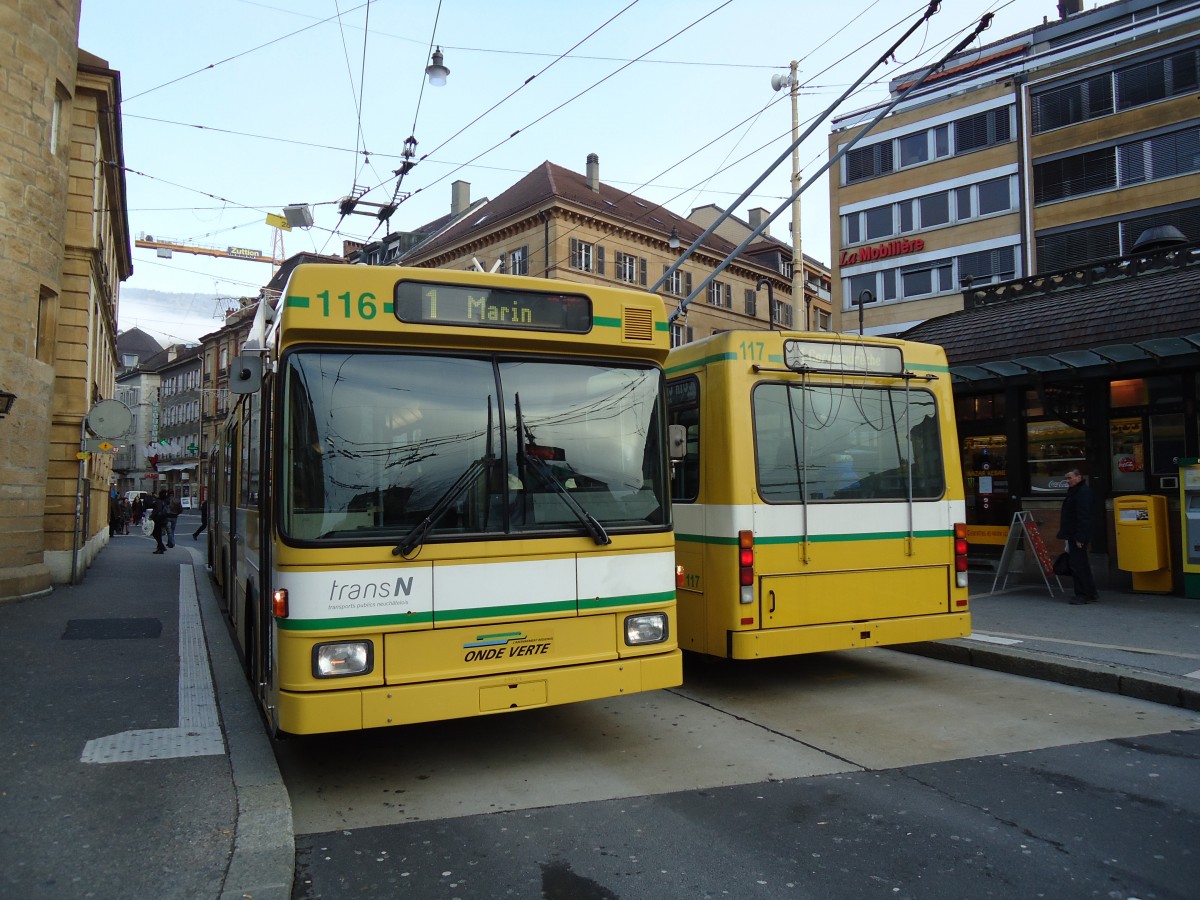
{"points": [[446, 495]]}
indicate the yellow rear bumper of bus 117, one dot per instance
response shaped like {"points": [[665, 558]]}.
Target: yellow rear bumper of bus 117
{"points": [[847, 635]]}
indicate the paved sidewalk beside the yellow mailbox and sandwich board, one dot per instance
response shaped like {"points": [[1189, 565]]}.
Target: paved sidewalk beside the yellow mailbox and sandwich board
{"points": [[1145, 646]]}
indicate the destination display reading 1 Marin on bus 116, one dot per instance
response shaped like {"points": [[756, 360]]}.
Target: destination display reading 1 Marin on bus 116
{"points": [[422, 303]]}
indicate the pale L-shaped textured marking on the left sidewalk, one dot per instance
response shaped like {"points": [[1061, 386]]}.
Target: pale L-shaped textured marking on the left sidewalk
{"points": [[200, 729]]}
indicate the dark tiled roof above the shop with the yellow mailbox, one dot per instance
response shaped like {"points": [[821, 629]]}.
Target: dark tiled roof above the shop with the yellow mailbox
{"points": [[1163, 303]]}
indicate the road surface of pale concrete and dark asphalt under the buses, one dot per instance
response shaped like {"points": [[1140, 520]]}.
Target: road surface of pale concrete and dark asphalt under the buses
{"points": [[842, 776]]}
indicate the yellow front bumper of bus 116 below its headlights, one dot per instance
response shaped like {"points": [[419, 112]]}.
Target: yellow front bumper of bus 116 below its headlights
{"points": [[303, 713]]}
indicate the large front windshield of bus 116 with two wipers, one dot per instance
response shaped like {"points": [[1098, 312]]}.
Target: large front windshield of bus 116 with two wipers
{"points": [[415, 448]]}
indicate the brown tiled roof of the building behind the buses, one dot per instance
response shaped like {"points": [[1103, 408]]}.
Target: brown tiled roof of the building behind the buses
{"points": [[550, 183]]}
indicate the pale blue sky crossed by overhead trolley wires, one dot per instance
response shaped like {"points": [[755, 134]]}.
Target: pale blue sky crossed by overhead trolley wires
{"points": [[233, 110]]}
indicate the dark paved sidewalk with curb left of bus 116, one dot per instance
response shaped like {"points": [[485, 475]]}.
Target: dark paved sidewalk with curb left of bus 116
{"points": [[136, 764]]}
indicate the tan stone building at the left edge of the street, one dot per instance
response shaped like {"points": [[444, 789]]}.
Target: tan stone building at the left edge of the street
{"points": [[67, 251]]}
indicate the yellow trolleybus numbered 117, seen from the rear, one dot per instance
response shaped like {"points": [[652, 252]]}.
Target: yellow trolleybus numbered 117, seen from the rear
{"points": [[820, 503]]}
